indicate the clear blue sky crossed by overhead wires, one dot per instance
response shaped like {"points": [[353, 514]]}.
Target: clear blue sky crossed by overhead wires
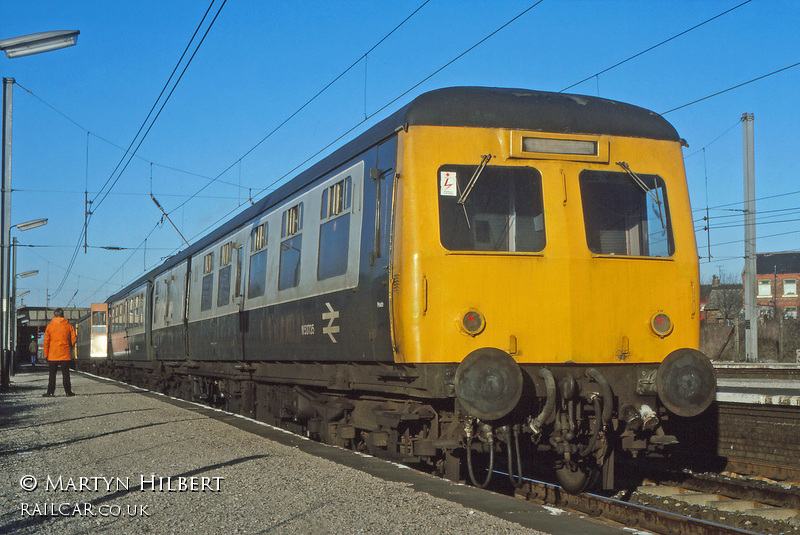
{"points": [[262, 61]]}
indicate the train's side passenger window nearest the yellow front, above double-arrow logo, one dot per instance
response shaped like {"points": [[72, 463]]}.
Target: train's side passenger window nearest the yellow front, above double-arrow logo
{"points": [[334, 231]]}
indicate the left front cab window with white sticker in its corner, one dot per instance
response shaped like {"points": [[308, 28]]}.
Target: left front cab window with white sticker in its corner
{"points": [[497, 209]]}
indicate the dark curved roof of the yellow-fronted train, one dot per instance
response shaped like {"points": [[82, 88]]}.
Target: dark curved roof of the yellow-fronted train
{"points": [[486, 107]]}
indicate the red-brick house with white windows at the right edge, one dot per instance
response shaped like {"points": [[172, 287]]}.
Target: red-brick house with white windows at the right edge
{"points": [[777, 275]]}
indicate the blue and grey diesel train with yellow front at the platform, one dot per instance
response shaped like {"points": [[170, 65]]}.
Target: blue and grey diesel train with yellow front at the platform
{"points": [[487, 278]]}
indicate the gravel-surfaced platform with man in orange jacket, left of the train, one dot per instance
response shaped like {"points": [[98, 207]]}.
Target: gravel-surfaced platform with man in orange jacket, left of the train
{"points": [[118, 459]]}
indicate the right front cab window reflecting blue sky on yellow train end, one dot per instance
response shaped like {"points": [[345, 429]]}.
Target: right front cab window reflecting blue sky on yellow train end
{"points": [[626, 214]]}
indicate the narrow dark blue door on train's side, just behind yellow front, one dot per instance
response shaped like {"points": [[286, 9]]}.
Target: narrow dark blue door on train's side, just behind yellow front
{"points": [[380, 257]]}
